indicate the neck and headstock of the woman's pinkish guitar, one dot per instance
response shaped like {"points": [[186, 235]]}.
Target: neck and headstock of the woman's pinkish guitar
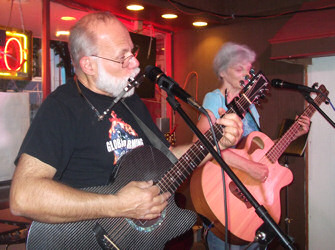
{"points": [[280, 146]]}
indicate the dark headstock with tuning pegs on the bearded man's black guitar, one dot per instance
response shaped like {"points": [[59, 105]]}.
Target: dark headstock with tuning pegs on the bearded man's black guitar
{"points": [[252, 92]]}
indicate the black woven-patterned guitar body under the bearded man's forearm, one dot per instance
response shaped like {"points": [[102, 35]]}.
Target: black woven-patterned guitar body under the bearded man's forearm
{"points": [[141, 164]]}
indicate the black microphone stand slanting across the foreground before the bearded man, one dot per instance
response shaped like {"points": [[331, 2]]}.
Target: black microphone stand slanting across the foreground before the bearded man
{"points": [[269, 224]]}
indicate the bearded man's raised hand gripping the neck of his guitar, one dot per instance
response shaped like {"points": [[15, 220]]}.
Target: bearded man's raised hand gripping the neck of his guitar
{"points": [[232, 131]]}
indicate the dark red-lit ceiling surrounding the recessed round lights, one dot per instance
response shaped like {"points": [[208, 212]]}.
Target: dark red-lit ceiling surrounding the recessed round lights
{"points": [[215, 12]]}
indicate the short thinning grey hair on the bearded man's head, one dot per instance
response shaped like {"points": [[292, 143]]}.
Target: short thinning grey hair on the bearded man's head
{"points": [[82, 39]]}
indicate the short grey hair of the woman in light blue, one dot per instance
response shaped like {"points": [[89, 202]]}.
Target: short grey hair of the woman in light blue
{"points": [[230, 54]]}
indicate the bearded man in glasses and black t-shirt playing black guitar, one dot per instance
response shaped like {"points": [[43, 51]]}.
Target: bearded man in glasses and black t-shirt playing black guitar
{"points": [[78, 135]]}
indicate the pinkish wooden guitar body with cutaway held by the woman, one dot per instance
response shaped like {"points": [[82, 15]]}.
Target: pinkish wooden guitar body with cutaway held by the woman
{"points": [[207, 192]]}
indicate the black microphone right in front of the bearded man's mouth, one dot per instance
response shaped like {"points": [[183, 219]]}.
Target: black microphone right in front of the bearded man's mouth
{"points": [[166, 83]]}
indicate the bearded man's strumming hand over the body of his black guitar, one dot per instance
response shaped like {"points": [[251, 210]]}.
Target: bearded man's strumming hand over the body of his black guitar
{"points": [[141, 200]]}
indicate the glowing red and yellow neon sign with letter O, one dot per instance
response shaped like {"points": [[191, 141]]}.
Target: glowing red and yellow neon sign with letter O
{"points": [[15, 55]]}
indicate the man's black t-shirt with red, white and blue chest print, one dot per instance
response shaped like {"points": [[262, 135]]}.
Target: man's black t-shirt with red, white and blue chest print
{"points": [[67, 135]]}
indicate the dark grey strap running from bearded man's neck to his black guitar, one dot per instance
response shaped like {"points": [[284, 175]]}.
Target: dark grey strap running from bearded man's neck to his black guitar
{"points": [[153, 138]]}
